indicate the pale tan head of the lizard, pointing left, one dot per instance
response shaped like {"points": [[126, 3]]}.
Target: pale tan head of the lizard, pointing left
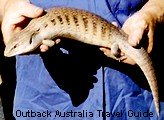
{"points": [[22, 42]]}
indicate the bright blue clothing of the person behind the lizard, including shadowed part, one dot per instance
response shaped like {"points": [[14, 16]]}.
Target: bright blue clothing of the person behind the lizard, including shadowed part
{"points": [[66, 80]]}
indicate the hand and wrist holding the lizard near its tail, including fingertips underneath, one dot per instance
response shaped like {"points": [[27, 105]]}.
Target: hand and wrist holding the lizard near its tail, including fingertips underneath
{"points": [[143, 23]]}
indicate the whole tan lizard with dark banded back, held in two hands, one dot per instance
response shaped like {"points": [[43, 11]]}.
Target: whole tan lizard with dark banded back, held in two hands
{"points": [[85, 27]]}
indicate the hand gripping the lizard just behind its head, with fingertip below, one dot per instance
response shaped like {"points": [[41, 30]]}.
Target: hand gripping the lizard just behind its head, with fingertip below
{"points": [[15, 17]]}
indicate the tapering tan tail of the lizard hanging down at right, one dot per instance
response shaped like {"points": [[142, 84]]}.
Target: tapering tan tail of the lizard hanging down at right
{"points": [[142, 59]]}
